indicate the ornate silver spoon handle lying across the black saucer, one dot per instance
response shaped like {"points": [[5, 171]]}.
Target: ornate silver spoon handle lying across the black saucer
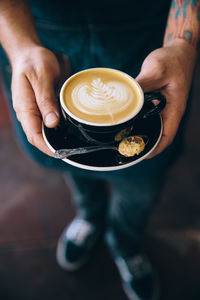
{"points": [[64, 153]]}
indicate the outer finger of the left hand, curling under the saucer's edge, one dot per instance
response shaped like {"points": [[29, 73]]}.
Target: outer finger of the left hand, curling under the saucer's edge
{"points": [[27, 112]]}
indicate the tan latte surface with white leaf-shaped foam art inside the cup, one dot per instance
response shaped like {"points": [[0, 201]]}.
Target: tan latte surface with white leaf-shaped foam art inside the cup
{"points": [[101, 99]]}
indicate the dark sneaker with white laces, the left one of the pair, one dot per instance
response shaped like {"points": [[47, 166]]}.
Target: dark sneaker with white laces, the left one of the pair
{"points": [[76, 244]]}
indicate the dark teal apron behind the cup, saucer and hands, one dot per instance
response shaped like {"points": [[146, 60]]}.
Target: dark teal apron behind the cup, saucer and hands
{"points": [[87, 43]]}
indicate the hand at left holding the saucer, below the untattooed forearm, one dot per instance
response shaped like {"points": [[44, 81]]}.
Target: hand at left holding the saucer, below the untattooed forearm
{"points": [[35, 73]]}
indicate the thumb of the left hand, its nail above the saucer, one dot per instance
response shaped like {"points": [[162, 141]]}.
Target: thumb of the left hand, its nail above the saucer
{"points": [[46, 100]]}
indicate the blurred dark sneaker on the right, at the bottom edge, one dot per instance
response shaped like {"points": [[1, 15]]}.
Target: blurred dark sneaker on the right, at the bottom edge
{"points": [[138, 279]]}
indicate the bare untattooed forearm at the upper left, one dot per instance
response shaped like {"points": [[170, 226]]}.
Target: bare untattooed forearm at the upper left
{"points": [[17, 29]]}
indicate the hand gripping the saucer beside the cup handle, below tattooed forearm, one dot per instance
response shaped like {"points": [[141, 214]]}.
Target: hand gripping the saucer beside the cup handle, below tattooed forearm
{"points": [[169, 70]]}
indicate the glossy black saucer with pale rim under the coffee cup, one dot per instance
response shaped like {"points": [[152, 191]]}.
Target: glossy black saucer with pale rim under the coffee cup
{"points": [[65, 135]]}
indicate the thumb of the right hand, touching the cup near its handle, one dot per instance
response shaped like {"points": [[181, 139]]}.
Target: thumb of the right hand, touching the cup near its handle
{"points": [[152, 76]]}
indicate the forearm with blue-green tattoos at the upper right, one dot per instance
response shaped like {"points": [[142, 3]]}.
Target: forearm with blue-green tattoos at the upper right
{"points": [[183, 21]]}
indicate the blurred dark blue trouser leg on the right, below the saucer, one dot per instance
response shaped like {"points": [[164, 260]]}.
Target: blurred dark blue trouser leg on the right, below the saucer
{"points": [[130, 207]]}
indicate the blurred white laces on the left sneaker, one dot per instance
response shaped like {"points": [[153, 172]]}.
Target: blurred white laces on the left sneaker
{"points": [[79, 230]]}
